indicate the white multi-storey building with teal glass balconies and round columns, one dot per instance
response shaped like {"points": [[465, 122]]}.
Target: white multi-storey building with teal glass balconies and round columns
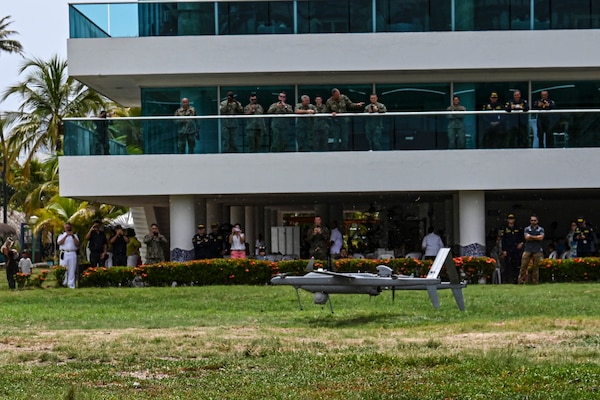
{"points": [[414, 54]]}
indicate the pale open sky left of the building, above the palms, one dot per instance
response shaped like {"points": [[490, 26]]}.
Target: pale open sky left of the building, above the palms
{"points": [[43, 27]]}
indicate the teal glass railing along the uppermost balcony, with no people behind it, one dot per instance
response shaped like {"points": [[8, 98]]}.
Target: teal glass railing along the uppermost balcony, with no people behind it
{"points": [[152, 18]]}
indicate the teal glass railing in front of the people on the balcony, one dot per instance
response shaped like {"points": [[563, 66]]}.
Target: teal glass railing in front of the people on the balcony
{"points": [[324, 132]]}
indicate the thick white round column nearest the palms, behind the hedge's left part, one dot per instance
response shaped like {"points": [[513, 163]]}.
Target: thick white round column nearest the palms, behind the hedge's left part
{"points": [[183, 227]]}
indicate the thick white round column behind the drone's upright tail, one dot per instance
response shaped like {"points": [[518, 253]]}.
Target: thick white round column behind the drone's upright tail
{"points": [[472, 222]]}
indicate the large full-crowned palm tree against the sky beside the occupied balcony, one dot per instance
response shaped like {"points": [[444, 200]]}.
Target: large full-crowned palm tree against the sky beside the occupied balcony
{"points": [[48, 96]]}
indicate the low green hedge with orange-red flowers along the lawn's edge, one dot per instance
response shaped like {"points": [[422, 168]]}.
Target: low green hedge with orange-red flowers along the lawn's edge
{"points": [[254, 272]]}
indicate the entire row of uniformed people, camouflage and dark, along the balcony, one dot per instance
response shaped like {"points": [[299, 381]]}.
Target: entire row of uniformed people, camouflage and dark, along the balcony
{"points": [[313, 134]]}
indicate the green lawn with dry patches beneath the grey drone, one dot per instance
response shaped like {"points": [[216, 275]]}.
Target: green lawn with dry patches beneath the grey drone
{"points": [[241, 342]]}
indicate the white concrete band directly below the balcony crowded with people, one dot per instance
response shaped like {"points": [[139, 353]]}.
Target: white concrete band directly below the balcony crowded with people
{"points": [[337, 172]]}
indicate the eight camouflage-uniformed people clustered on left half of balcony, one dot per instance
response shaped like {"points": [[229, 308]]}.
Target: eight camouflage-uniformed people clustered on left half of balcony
{"points": [[312, 134]]}
